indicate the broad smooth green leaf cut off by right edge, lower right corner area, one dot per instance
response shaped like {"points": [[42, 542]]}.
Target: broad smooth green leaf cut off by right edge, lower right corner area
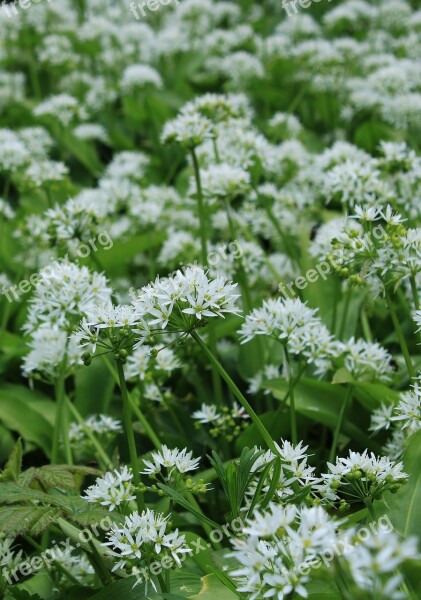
{"points": [[403, 508]]}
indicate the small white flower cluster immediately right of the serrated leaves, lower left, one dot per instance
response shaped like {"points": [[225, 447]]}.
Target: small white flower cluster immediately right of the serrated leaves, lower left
{"points": [[112, 490]]}
